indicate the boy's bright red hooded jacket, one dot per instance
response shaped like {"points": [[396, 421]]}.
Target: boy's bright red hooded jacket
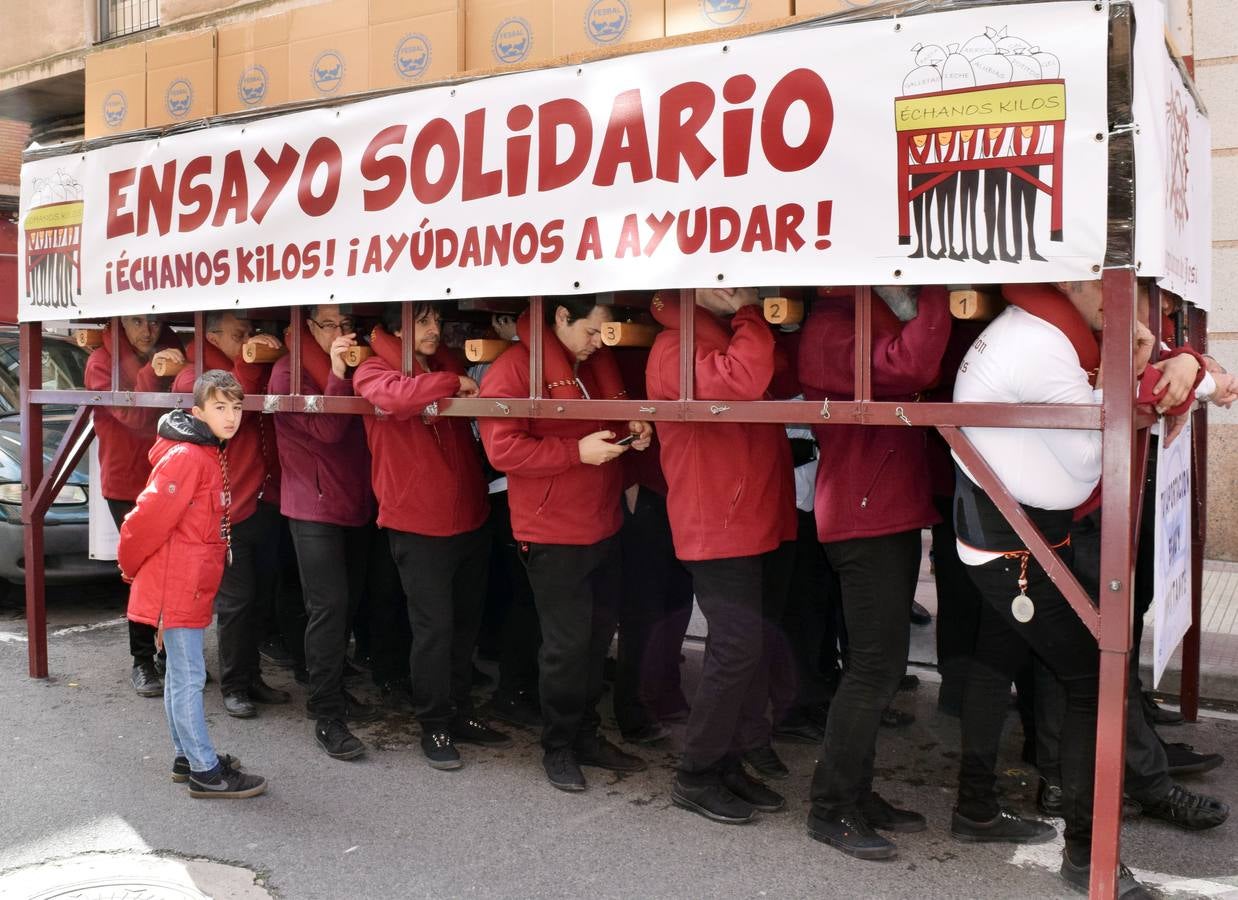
{"points": [[171, 543]]}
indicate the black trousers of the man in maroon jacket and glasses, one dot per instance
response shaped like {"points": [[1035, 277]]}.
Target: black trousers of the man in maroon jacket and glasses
{"points": [[332, 561]]}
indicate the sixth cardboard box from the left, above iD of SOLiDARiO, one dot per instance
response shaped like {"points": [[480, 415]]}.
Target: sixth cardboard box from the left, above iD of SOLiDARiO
{"points": [[507, 33]]}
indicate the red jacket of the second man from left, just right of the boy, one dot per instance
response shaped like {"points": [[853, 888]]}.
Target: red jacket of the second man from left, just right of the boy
{"points": [[253, 454]]}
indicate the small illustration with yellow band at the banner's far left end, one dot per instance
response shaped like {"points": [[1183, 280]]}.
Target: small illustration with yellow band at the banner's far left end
{"points": [[54, 242]]}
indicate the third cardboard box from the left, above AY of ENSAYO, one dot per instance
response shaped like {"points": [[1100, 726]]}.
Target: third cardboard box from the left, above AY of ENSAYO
{"points": [[253, 64]]}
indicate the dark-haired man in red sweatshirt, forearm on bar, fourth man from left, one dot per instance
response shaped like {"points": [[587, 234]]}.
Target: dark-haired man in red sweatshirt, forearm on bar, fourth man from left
{"points": [[433, 501]]}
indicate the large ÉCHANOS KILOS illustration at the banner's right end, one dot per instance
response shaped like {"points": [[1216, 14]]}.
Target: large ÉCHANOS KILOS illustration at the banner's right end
{"points": [[992, 107]]}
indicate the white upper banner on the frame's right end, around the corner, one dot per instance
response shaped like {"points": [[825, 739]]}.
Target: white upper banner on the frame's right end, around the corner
{"points": [[1173, 169]]}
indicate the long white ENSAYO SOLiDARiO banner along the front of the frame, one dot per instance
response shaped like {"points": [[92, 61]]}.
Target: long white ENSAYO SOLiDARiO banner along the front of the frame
{"points": [[946, 148]]}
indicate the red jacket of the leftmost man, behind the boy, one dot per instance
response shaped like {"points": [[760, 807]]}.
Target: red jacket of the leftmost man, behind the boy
{"points": [[127, 434]]}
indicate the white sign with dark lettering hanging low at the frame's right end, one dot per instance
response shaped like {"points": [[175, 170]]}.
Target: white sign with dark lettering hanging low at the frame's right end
{"points": [[1172, 602]]}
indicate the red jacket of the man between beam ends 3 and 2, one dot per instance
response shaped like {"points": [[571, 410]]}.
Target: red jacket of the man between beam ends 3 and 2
{"points": [[731, 485]]}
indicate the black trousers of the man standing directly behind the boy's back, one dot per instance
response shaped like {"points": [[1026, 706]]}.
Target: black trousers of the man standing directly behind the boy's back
{"points": [[247, 585]]}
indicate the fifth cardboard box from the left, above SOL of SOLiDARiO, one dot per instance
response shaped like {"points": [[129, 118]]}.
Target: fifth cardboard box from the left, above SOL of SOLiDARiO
{"points": [[410, 50]]}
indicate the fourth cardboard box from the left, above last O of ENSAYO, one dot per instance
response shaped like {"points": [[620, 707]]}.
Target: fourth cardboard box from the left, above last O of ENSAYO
{"points": [[329, 51]]}
